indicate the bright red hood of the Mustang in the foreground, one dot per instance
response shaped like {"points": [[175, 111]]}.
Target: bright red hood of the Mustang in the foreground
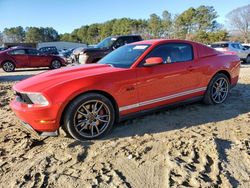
{"points": [[44, 81]]}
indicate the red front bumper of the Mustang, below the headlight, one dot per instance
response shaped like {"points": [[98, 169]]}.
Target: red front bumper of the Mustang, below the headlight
{"points": [[41, 119]]}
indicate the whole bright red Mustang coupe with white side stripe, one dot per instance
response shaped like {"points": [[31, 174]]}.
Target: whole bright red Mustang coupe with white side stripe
{"points": [[87, 100]]}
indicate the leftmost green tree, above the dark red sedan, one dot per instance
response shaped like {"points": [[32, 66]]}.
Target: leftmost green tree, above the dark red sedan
{"points": [[14, 34]]}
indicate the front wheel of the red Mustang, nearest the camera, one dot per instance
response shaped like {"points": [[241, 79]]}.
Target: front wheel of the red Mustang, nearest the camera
{"points": [[89, 116]]}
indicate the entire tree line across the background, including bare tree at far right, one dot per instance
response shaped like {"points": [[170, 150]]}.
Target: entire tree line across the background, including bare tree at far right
{"points": [[197, 24]]}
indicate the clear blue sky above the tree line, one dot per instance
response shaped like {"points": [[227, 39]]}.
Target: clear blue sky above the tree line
{"points": [[67, 15]]}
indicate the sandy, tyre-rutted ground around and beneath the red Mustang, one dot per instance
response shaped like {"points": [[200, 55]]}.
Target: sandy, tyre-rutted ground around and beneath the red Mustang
{"points": [[190, 146]]}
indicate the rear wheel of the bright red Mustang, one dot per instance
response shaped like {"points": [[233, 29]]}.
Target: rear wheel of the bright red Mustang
{"points": [[217, 90]]}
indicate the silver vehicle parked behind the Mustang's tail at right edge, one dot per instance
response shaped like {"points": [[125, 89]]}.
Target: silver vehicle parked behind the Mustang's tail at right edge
{"points": [[233, 48]]}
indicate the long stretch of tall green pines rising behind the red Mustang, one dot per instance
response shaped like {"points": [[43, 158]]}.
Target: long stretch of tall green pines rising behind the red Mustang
{"points": [[198, 24]]}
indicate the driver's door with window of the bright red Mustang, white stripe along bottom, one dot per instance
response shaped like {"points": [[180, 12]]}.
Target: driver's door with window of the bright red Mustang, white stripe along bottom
{"points": [[171, 81]]}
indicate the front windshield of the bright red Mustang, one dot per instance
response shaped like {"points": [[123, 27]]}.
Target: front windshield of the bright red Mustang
{"points": [[124, 56]]}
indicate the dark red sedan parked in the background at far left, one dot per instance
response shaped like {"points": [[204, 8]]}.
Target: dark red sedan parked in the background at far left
{"points": [[23, 57]]}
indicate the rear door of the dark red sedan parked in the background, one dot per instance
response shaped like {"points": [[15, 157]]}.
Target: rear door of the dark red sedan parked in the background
{"points": [[20, 57]]}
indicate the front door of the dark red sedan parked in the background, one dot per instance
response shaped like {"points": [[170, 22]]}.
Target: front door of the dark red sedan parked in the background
{"points": [[37, 59]]}
